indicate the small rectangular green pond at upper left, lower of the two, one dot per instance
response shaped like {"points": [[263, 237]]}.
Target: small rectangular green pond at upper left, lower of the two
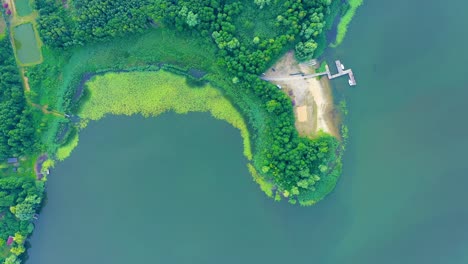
{"points": [[26, 44]]}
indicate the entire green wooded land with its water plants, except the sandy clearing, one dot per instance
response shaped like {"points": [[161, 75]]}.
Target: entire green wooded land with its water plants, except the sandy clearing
{"points": [[93, 58]]}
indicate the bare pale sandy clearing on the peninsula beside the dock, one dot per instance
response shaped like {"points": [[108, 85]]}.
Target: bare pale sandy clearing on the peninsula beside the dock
{"points": [[313, 100]]}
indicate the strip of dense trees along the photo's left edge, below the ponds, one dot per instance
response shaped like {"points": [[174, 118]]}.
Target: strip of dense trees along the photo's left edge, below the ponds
{"points": [[20, 194]]}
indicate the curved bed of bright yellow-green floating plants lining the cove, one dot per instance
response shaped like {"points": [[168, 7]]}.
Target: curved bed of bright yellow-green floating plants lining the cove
{"points": [[153, 93]]}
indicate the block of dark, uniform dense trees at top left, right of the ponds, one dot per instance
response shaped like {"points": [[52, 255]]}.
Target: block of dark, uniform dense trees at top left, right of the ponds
{"points": [[91, 20]]}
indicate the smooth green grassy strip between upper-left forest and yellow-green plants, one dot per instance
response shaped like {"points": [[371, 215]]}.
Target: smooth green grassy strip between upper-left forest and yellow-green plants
{"points": [[62, 71]]}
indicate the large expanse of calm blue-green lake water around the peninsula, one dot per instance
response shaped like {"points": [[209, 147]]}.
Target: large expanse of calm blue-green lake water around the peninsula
{"points": [[175, 189]]}
